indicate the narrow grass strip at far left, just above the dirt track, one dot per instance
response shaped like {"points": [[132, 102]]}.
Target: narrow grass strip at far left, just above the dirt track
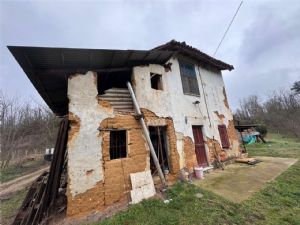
{"points": [[12, 172]]}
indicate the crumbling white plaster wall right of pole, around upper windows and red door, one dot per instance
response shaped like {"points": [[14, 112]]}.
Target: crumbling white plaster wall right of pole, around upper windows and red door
{"points": [[171, 102]]}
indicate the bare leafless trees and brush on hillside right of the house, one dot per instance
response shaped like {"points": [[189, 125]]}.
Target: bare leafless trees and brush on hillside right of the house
{"points": [[280, 112]]}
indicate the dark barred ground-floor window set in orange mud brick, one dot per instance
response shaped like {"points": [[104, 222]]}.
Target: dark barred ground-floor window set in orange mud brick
{"points": [[118, 145]]}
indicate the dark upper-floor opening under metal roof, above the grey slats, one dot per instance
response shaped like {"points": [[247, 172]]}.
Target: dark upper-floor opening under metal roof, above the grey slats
{"points": [[110, 80]]}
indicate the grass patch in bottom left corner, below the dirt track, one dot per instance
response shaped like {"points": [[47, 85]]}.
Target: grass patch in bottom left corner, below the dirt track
{"points": [[9, 207]]}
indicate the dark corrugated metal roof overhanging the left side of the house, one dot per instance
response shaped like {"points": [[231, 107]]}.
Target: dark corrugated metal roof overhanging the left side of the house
{"points": [[49, 68]]}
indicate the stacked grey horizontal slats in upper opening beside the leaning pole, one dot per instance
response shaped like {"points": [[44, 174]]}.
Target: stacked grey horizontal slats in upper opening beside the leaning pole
{"points": [[119, 99]]}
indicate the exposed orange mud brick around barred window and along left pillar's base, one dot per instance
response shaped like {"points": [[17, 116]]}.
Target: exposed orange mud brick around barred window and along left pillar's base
{"points": [[116, 185]]}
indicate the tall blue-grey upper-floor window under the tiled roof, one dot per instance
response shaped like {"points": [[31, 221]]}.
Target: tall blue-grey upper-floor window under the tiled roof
{"points": [[188, 78]]}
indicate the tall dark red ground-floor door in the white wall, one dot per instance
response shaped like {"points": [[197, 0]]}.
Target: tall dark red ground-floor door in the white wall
{"points": [[199, 146]]}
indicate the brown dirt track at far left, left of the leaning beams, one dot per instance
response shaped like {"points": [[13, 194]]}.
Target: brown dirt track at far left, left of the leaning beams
{"points": [[19, 183]]}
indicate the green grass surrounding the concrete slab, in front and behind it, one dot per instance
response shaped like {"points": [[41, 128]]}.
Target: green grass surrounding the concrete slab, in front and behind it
{"points": [[277, 203]]}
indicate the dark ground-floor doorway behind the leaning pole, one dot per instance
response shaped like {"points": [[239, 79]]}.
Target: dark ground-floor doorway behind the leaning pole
{"points": [[159, 140]]}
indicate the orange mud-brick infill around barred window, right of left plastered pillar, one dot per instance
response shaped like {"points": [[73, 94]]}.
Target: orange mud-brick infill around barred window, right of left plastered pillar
{"points": [[117, 183]]}
